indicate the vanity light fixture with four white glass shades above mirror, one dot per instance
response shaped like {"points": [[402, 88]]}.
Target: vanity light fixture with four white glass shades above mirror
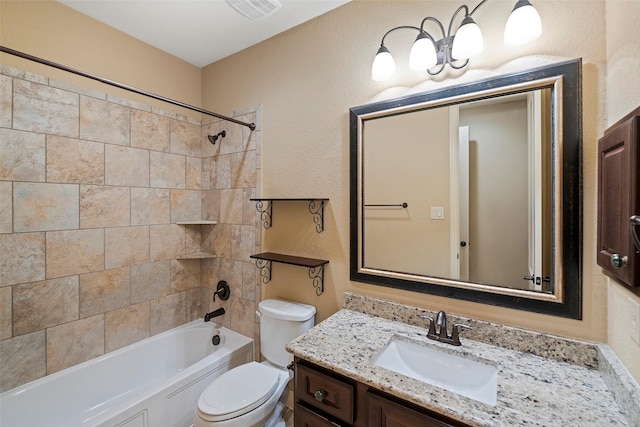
{"points": [[452, 49]]}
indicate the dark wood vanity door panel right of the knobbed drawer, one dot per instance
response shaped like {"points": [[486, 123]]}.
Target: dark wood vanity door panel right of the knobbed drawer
{"points": [[382, 412]]}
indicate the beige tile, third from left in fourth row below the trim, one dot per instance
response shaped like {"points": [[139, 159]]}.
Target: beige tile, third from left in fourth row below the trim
{"points": [[126, 246]]}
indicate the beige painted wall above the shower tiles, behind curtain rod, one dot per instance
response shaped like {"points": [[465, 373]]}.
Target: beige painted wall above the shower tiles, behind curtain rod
{"points": [[57, 33]]}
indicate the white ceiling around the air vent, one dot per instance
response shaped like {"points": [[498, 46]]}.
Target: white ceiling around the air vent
{"points": [[200, 31]]}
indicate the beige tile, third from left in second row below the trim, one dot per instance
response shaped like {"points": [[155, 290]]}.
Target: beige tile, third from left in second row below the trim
{"points": [[126, 166]]}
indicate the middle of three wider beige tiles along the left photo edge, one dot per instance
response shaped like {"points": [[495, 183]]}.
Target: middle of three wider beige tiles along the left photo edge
{"points": [[23, 258]]}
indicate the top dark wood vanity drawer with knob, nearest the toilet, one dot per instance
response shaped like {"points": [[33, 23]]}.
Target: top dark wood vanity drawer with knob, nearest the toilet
{"points": [[320, 390]]}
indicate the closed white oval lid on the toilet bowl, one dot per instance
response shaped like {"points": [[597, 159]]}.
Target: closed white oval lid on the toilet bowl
{"points": [[238, 391]]}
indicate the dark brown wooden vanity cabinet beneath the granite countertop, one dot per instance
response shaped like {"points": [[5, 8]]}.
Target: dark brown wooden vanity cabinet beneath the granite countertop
{"points": [[324, 398]]}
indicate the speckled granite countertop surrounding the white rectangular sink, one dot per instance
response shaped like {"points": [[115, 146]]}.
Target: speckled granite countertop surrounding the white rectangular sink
{"points": [[532, 390]]}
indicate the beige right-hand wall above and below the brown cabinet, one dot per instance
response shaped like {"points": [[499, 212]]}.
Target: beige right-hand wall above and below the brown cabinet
{"points": [[623, 95]]}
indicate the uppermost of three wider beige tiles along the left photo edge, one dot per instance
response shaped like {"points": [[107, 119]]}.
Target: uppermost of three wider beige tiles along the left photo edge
{"points": [[22, 156]]}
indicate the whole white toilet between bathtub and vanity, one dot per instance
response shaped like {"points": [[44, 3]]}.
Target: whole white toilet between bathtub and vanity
{"points": [[254, 394]]}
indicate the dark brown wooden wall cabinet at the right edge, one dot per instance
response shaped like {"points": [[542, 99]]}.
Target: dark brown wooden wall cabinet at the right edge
{"points": [[618, 200]]}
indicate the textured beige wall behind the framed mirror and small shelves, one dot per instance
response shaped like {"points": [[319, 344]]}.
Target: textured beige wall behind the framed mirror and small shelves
{"points": [[307, 78]]}
